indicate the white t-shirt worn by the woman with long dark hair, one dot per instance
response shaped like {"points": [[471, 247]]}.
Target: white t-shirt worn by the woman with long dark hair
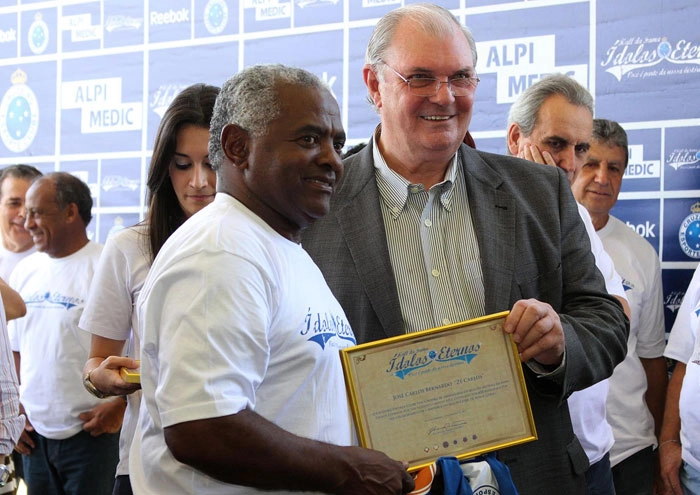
{"points": [[110, 312]]}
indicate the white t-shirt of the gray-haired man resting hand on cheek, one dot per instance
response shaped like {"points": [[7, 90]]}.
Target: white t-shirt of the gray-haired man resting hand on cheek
{"points": [[587, 407]]}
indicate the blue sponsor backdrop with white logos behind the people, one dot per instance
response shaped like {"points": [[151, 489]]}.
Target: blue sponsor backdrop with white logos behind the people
{"points": [[84, 83]]}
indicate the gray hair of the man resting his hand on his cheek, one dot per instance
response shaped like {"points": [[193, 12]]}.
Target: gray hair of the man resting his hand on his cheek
{"points": [[526, 108]]}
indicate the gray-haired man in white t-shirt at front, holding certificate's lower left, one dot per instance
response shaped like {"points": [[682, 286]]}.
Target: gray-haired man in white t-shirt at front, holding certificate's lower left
{"points": [[240, 335]]}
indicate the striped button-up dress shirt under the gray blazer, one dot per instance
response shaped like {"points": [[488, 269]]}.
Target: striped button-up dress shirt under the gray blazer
{"points": [[432, 247]]}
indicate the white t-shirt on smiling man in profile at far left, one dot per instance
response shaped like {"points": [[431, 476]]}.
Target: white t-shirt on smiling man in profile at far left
{"points": [[53, 349]]}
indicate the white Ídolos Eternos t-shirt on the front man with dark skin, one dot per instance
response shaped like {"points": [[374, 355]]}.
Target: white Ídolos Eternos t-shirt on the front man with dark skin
{"points": [[233, 315]]}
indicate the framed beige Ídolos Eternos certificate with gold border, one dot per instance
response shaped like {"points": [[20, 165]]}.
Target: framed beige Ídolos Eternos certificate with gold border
{"points": [[456, 390]]}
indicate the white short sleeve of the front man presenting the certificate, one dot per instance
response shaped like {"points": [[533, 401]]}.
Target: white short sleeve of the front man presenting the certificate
{"points": [[209, 348]]}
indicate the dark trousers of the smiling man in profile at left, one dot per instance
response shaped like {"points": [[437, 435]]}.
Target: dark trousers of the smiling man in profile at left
{"points": [[79, 465]]}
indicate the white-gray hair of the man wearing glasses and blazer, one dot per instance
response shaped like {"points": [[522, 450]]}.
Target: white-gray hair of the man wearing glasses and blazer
{"points": [[434, 20]]}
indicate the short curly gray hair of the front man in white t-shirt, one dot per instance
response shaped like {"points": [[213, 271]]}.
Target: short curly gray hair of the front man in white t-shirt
{"points": [[250, 99]]}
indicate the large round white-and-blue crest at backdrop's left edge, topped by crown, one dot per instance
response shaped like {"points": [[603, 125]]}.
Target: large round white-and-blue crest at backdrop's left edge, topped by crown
{"points": [[19, 114]]}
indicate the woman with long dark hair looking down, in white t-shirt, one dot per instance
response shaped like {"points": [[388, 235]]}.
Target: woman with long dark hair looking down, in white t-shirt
{"points": [[180, 183]]}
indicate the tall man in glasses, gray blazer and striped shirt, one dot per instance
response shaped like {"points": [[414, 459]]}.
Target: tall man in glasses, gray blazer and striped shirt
{"points": [[425, 232]]}
